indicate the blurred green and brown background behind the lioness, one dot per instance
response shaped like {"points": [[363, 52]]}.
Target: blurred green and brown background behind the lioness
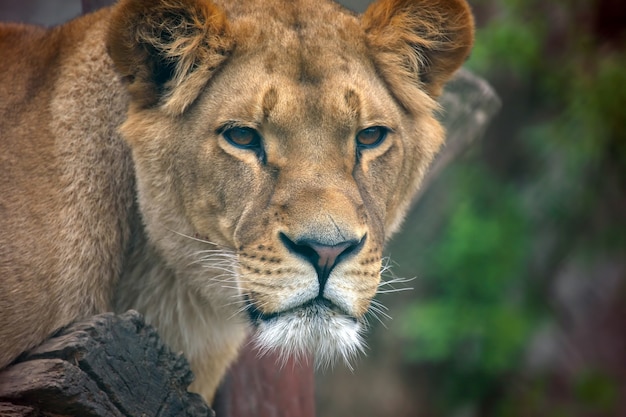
{"points": [[516, 252]]}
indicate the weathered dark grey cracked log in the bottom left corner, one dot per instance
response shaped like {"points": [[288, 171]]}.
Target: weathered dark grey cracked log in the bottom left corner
{"points": [[105, 366]]}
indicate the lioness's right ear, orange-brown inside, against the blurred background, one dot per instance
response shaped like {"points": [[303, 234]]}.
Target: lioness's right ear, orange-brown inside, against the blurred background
{"points": [[422, 40]]}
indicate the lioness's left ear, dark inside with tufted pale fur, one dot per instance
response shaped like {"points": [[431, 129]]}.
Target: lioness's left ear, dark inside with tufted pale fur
{"points": [[166, 50]]}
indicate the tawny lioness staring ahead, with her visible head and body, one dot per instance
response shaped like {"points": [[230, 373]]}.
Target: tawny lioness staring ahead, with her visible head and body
{"points": [[221, 166]]}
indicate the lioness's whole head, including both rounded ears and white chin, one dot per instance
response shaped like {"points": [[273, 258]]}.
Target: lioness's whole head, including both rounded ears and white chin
{"points": [[286, 136]]}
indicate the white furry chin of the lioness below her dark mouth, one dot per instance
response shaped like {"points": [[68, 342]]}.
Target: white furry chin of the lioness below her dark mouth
{"points": [[317, 329]]}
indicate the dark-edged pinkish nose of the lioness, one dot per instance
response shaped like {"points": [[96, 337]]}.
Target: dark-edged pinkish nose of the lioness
{"points": [[322, 256]]}
